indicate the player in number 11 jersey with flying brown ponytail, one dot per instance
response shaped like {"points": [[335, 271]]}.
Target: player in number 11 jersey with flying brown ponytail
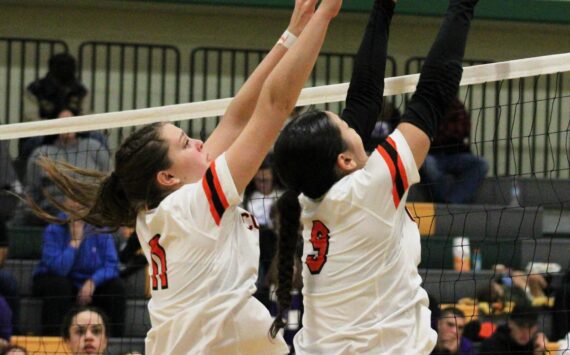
{"points": [[183, 195]]}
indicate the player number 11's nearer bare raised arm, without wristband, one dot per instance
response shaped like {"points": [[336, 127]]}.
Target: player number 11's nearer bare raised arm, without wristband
{"points": [[278, 97]]}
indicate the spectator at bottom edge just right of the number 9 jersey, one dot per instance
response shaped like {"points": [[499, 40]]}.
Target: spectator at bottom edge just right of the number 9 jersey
{"points": [[450, 340]]}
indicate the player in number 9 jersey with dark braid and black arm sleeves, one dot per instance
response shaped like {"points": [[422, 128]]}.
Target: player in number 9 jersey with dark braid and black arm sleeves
{"points": [[361, 287]]}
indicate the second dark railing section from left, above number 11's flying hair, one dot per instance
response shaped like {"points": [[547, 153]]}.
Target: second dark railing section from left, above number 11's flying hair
{"points": [[125, 76]]}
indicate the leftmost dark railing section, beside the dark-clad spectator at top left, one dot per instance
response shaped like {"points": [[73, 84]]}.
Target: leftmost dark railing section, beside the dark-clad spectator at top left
{"points": [[23, 61]]}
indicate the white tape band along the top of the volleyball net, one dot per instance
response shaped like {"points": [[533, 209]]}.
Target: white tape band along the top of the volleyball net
{"points": [[321, 94]]}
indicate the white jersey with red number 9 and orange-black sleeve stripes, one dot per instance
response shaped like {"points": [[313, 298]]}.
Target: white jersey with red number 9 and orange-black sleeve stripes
{"points": [[361, 290]]}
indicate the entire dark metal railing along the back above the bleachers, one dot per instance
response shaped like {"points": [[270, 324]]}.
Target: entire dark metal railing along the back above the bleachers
{"points": [[520, 126]]}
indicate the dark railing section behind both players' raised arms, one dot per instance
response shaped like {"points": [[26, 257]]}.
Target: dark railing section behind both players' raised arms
{"points": [[219, 72]]}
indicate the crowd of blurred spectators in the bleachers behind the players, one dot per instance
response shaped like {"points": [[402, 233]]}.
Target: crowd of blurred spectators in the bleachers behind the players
{"points": [[87, 267]]}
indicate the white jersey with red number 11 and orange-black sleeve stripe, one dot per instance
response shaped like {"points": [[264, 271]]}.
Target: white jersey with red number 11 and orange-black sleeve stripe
{"points": [[203, 254]]}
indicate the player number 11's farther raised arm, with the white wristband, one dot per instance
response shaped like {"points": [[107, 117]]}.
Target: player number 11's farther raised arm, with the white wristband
{"points": [[241, 108]]}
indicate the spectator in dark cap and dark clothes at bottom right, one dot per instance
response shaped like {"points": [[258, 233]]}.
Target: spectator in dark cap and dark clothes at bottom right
{"points": [[519, 336]]}
